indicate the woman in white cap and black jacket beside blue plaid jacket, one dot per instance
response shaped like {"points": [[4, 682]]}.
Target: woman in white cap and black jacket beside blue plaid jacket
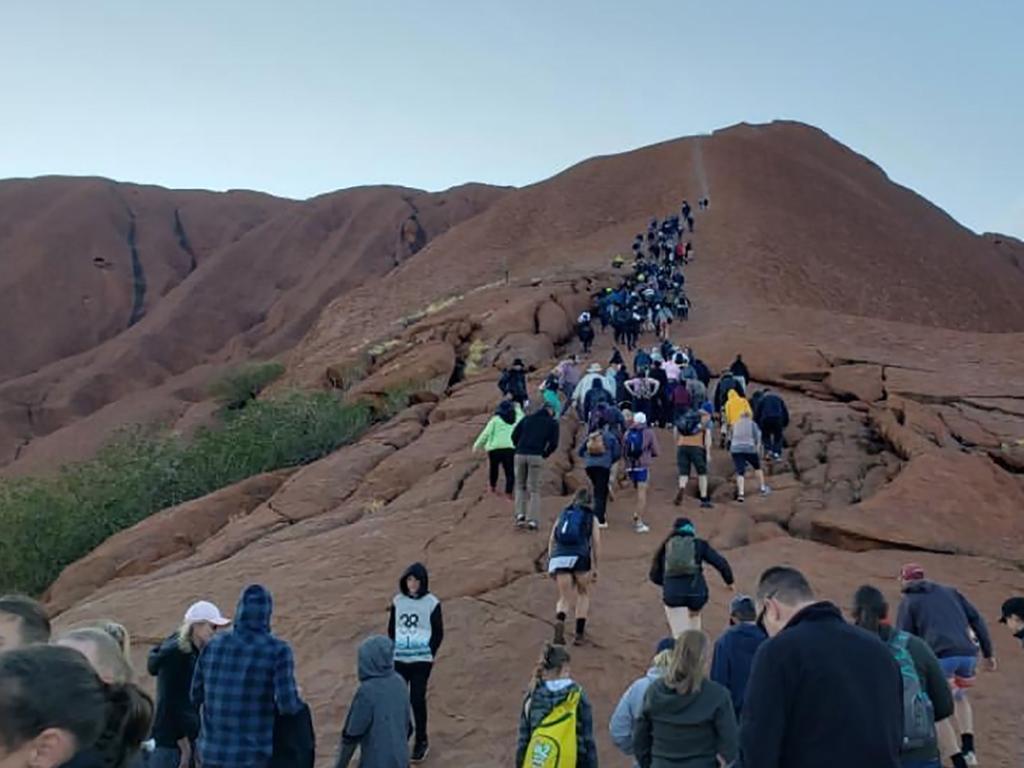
{"points": [[176, 724]]}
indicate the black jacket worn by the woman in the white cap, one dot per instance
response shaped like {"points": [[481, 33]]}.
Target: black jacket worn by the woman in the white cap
{"points": [[176, 717]]}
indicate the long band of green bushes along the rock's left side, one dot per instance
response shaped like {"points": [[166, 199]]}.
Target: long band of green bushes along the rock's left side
{"points": [[50, 523]]}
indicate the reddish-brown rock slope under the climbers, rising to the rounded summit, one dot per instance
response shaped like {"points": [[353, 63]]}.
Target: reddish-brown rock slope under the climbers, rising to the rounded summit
{"points": [[903, 443]]}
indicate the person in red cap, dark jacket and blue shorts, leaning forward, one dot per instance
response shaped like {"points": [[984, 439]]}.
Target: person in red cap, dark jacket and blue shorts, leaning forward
{"points": [[945, 620]]}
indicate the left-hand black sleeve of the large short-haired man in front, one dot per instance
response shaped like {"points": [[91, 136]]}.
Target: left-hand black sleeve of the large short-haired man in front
{"points": [[766, 703]]}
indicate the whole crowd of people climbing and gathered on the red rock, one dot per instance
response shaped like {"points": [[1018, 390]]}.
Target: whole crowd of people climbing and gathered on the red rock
{"points": [[791, 684]]}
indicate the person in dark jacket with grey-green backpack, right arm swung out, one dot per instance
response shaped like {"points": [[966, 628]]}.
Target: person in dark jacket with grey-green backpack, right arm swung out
{"points": [[678, 569]]}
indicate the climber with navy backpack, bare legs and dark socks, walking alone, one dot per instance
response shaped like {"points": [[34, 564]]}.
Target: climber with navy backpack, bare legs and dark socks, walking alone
{"points": [[574, 550]]}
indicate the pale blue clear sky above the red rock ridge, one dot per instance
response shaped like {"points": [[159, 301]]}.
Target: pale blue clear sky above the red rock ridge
{"points": [[301, 98]]}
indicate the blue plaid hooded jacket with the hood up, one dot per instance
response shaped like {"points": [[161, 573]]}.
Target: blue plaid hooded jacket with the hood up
{"points": [[244, 678]]}
